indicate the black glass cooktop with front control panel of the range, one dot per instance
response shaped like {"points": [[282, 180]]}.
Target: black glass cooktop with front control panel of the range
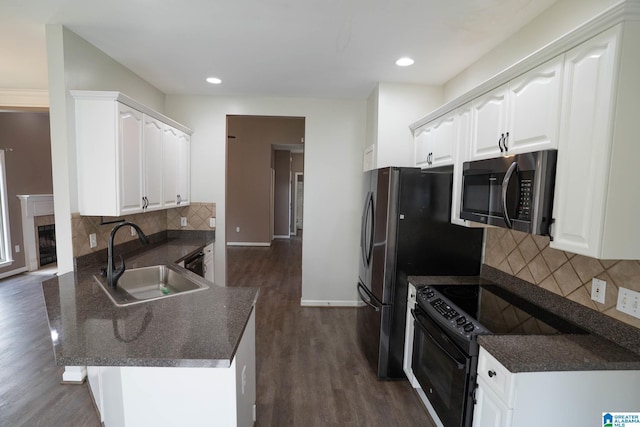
{"points": [[466, 311]]}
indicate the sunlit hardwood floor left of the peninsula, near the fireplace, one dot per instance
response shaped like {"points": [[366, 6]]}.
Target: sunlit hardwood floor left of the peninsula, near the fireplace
{"points": [[30, 389]]}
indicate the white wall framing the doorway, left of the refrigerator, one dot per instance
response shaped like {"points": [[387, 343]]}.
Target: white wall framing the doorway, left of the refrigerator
{"points": [[334, 139]]}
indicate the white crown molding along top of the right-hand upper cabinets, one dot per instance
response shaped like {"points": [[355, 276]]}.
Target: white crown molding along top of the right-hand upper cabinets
{"points": [[626, 10]]}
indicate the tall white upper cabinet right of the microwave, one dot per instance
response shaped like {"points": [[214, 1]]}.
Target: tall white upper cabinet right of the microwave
{"points": [[597, 204]]}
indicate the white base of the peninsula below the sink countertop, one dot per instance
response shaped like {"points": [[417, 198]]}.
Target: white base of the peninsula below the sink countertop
{"points": [[167, 396]]}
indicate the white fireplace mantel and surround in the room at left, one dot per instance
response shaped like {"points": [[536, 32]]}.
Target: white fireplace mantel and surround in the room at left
{"points": [[33, 205]]}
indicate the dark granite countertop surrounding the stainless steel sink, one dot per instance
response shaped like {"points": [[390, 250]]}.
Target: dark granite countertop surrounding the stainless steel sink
{"points": [[200, 329]]}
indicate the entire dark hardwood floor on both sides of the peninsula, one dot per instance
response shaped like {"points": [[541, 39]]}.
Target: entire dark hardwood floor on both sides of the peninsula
{"points": [[310, 370]]}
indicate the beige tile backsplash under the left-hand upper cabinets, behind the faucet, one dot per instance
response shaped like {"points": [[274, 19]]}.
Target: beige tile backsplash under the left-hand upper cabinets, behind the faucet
{"points": [[197, 215]]}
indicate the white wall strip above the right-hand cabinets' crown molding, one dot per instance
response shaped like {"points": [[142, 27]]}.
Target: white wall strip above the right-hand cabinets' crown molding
{"points": [[559, 19]]}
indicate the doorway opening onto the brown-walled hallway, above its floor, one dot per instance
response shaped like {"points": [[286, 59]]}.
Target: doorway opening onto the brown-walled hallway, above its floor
{"points": [[262, 154]]}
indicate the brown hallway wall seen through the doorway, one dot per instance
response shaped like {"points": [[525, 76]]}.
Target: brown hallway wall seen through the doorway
{"points": [[249, 172]]}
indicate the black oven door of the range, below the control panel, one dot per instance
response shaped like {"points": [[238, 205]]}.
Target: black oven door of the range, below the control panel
{"points": [[443, 372]]}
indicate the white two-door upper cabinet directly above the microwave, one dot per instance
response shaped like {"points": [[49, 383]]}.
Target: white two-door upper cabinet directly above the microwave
{"points": [[520, 116]]}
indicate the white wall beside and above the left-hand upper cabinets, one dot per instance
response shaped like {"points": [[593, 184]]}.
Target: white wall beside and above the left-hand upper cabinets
{"points": [[76, 64]]}
